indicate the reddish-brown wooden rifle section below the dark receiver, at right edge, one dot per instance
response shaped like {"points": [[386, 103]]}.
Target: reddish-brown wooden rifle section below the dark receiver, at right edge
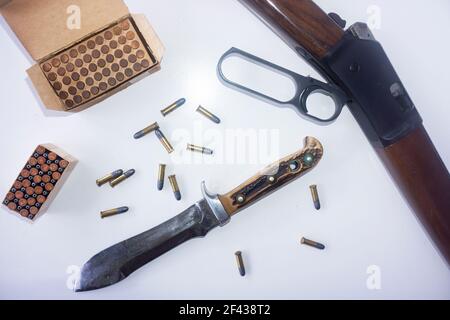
{"points": [[422, 177]]}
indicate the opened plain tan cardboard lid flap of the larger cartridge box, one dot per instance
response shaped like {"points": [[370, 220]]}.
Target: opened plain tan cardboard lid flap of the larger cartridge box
{"points": [[42, 25]]}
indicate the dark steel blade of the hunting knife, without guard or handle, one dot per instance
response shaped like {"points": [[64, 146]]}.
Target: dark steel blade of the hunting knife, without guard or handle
{"points": [[119, 261]]}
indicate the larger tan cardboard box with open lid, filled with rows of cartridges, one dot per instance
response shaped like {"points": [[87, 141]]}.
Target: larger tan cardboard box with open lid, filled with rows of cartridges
{"points": [[85, 50]]}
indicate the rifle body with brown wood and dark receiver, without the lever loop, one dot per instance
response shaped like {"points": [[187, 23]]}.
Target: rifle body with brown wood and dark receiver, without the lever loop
{"points": [[356, 63]]}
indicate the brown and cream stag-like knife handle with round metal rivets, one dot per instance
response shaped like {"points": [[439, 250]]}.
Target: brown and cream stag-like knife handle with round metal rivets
{"points": [[273, 177]]}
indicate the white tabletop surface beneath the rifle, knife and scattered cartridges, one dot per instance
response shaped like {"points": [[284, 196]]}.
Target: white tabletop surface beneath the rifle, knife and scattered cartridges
{"points": [[364, 220]]}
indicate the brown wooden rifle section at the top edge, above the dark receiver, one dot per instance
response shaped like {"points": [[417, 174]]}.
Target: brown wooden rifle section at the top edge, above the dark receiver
{"points": [[300, 23]]}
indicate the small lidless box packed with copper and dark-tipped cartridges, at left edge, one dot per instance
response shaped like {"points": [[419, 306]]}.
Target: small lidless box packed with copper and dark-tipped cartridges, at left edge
{"points": [[39, 182]]}
